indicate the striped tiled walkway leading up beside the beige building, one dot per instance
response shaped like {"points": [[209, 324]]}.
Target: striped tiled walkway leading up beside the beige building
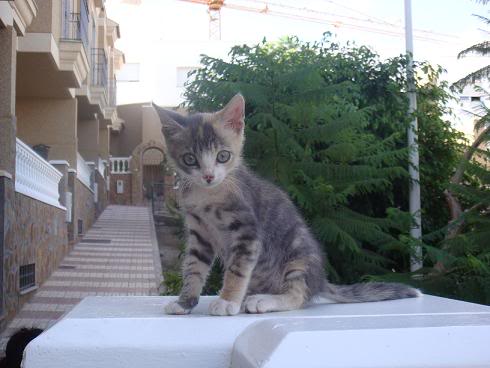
{"points": [[117, 256]]}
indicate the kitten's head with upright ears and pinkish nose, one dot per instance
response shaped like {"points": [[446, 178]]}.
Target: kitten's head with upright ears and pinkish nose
{"points": [[205, 147]]}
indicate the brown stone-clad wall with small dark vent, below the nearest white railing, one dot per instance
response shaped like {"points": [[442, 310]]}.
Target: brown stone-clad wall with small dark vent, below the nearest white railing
{"points": [[34, 232]]}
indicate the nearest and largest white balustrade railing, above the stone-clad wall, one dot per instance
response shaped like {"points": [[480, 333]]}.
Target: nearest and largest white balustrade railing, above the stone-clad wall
{"points": [[35, 177]]}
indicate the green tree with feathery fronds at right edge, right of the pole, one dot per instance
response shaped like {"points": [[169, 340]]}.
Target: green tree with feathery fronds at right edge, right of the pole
{"points": [[460, 251]]}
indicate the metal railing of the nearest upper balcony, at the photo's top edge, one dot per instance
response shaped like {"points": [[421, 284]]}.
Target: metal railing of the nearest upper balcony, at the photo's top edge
{"points": [[75, 25]]}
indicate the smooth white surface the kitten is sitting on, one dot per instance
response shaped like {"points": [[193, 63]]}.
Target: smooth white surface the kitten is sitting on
{"points": [[134, 332]]}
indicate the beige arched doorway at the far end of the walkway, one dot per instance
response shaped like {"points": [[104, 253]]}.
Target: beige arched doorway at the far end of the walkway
{"points": [[150, 173]]}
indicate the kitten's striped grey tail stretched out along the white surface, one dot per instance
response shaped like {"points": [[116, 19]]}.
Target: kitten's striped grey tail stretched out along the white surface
{"points": [[368, 292]]}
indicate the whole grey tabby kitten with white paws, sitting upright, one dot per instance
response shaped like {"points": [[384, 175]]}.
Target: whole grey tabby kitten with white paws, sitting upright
{"points": [[271, 260]]}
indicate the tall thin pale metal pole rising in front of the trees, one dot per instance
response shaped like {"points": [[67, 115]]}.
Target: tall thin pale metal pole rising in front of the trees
{"points": [[413, 160]]}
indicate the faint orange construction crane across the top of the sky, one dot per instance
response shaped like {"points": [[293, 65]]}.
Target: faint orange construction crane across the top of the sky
{"points": [[361, 21]]}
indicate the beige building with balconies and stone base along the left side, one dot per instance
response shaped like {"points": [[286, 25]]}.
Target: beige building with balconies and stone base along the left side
{"points": [[57, 108]]}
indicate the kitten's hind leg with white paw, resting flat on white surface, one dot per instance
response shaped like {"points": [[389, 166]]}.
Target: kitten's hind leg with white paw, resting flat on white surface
{"points": [[294, 296]]}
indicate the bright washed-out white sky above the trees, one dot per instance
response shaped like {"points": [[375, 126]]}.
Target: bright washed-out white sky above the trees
{"points": [[162, 35]]}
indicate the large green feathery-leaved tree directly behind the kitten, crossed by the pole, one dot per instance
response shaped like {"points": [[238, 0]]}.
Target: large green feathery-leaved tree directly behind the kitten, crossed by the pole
{"points": [[327, 123]]}
